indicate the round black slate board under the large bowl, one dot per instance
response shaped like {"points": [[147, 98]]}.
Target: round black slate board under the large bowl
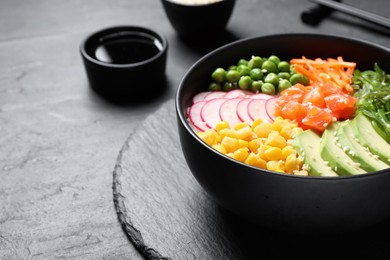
{"points": [[167, 215]]}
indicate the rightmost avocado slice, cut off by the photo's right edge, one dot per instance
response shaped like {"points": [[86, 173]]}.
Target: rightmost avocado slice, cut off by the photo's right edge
{"points": [[368, 137]]}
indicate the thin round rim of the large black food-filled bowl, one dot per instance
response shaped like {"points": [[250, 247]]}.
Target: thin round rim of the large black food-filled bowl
{"points": [[184, 122]]}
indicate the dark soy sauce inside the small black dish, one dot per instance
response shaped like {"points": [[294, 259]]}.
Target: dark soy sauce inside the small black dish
{"points": [[127, 48]]}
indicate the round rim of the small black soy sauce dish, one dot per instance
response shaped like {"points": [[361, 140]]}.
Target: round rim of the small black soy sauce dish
{"points": [[123, 28]]}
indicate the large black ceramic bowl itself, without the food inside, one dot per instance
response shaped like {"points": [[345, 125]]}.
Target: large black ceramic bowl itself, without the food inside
{"points": [[279, 201]]}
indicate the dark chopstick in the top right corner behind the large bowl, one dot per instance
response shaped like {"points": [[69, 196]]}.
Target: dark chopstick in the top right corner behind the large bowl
{"points": [[368, 16]]}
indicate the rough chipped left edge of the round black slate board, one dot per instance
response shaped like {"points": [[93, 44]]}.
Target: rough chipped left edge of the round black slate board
{"points": [[133, 234]]}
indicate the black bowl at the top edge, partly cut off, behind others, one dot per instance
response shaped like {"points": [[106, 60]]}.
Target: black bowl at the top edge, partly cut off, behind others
{"points": [[195, 20]]}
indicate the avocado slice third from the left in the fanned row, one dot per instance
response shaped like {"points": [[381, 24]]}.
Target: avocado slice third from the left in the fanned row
{"points": [[356, 151]]}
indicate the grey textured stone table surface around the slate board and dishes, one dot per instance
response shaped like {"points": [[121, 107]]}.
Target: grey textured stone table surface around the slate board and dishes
{"points": [[59, 141]]}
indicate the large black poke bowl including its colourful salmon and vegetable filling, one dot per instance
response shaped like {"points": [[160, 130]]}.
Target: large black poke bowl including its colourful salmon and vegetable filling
{"points": [[257, 155]]}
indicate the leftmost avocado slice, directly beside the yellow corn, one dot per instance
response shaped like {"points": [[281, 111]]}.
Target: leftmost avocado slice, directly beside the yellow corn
{"points": [[307, 143]]}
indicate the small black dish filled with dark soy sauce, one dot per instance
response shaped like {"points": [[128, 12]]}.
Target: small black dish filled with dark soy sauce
{"points": [[125, 60]]}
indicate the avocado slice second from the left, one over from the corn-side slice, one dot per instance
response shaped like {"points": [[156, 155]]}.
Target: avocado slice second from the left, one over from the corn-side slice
{"points": [[333, 152]]}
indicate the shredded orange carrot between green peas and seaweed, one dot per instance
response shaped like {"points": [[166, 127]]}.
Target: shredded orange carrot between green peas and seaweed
{"points": [[330, 71]]}
